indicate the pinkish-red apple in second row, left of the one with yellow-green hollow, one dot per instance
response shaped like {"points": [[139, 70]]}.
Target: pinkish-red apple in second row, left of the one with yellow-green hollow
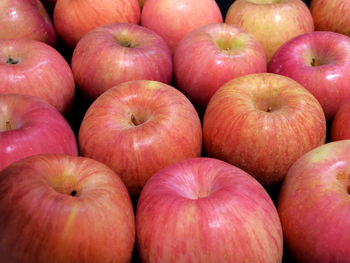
{"points": [[119, 52]]}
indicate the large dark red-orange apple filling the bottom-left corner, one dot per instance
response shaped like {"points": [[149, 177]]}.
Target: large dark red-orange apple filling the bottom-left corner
{"points": [[62, 208]]}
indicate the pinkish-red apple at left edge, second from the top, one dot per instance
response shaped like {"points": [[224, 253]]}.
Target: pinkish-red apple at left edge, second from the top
{"points": [[35, 68]]}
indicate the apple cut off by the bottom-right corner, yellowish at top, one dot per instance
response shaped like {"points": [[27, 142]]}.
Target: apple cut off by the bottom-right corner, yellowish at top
{"points": [[314, 205]]}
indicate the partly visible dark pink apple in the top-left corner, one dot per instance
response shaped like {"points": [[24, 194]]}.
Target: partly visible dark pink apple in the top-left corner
{"points": [[26, 19]]}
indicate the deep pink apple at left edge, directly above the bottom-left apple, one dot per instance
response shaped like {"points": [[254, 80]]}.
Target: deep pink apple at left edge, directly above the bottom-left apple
{"points": [[29, 126]]}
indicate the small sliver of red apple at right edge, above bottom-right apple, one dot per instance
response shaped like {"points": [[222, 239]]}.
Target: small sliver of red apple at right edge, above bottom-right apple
{"points": [[340, 126]]}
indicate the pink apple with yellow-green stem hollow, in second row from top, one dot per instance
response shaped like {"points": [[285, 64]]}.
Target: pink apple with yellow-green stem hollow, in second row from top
{"points": [[211, 55]]}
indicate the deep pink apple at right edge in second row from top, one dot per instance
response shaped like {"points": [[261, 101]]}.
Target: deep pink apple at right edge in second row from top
{"points": [[319, 61]]}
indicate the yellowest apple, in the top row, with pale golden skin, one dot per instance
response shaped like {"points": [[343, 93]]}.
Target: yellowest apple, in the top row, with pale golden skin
{"points": [[272, 22]]}
